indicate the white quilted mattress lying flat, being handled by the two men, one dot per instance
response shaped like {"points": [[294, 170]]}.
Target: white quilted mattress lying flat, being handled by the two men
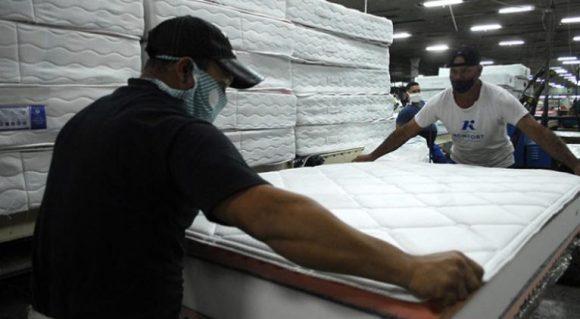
{"points": [[490, 214]]}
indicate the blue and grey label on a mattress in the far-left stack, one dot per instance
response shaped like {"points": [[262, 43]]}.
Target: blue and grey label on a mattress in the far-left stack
{"points": [[22, 117]]}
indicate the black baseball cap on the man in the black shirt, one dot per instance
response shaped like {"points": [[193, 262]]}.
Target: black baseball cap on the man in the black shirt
{"points": [[196, 38]]}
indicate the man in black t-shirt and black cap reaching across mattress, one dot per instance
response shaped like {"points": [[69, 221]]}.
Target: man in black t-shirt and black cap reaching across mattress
{"points": [[130, 171]]}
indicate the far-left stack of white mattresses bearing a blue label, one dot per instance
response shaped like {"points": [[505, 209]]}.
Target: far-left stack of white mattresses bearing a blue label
{"points": [[56, 57]]}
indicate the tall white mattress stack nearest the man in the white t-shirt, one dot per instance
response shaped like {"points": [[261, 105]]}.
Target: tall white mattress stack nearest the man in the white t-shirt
{"points": [[340, 76]]}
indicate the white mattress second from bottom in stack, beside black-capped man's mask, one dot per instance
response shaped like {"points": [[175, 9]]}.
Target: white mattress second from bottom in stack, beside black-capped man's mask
{"points": [[257, 110]]}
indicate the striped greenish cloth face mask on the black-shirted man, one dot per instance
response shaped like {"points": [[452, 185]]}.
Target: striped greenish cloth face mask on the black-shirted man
{"points": [[205, 100]]}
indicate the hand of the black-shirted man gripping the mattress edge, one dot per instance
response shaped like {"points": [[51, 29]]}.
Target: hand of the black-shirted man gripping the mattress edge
{"points": [[445, 277]]}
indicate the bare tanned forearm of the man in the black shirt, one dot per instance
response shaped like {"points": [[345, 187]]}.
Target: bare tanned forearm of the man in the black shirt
{"points": [[327, 244]]}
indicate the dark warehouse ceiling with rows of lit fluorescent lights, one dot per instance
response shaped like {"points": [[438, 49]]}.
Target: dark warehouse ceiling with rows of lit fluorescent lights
{"points": [[442, 25]]}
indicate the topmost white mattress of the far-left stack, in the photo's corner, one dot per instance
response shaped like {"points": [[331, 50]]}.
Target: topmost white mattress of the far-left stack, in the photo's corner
{"points": [[120, 17]]}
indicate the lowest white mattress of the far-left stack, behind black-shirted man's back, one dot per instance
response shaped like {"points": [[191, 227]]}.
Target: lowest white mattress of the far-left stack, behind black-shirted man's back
{"points": [[23, 176]]}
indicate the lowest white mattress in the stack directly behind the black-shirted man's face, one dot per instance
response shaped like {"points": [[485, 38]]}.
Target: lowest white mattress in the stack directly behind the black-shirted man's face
{"points": [[262, 147]]}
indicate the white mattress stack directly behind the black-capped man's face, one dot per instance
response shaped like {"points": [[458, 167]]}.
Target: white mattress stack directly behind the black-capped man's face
{"points": [[260, 121]]}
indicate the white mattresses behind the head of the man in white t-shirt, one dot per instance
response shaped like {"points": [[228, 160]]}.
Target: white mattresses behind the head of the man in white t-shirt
{"points": [[513, 78]]}
